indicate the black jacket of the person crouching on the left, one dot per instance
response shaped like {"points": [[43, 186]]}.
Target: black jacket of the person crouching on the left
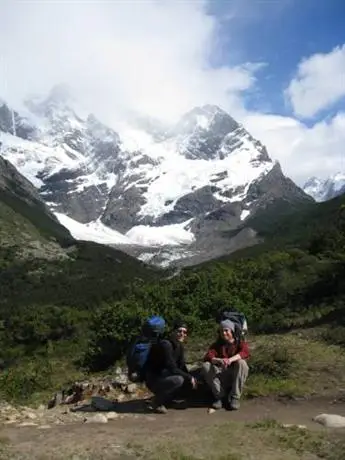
{"points": [[168, 355]]}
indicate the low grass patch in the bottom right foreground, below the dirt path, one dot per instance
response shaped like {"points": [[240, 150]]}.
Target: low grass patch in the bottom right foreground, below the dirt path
{"points": [[264, 440]]}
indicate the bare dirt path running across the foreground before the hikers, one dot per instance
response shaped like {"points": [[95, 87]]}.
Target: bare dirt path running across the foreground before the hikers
{"points": [[60, 441]]}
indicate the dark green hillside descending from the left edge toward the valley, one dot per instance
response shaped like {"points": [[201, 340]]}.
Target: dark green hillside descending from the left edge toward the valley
{"points": [[50, 282]]}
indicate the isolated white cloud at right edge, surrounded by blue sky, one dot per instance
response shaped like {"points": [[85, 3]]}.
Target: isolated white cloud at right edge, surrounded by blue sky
{"points": [[319, 83]]}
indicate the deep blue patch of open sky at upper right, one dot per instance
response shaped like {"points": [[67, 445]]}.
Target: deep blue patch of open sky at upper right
{"points": [[279, 34]]}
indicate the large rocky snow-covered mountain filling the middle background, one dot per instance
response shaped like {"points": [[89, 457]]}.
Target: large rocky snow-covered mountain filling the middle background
{"points": [[145, 184]]}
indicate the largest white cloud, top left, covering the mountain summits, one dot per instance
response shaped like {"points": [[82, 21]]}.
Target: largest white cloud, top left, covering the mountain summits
{"points": [[150, 56]]}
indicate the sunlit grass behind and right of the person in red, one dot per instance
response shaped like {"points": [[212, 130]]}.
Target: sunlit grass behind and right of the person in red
{"points": [[294, 364]]}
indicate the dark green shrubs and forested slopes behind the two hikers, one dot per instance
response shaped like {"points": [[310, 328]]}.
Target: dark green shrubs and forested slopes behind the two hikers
{"points": [[85, 306]]}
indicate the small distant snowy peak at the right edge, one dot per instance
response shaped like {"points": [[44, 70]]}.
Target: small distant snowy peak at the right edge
{"points": [[325, 189]]}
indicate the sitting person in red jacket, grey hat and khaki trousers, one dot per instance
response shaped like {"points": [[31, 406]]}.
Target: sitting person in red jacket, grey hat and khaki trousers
{"points": [[225, 369]]}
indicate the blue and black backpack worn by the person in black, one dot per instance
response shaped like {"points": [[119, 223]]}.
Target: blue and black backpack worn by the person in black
{"points": [[139, 351]]}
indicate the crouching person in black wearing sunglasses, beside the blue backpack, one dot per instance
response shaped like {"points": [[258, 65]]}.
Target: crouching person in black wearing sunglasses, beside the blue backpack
{"points": [[166, 370]]}
